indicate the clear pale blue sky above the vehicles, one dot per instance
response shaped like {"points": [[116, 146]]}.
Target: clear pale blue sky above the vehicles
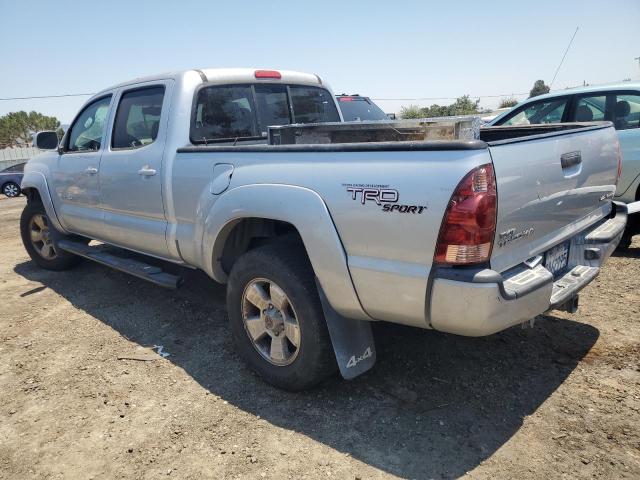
{"points": [[405, 50]]}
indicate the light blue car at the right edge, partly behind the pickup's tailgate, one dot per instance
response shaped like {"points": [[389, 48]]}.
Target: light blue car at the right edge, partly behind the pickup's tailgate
{"points": [[619, 103]]}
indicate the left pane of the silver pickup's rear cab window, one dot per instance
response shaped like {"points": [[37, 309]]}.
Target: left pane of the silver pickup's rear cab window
{"points": [[224, 113]]}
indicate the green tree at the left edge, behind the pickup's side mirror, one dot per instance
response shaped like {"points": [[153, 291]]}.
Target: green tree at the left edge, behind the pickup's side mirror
{"points": [[17, 128]]}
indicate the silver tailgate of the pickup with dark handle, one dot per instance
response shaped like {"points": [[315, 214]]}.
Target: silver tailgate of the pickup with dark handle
{"points": [[550, 187]]}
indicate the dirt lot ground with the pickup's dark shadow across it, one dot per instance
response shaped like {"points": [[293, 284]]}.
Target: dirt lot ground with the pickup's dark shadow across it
{"points": [[561, 400]]}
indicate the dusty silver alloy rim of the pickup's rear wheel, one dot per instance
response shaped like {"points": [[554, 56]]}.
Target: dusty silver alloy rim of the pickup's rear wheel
{"points": [[270, 322]]}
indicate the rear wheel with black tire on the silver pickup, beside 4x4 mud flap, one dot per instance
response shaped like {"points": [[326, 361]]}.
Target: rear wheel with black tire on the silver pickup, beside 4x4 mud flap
{"points": [[280, 268]]}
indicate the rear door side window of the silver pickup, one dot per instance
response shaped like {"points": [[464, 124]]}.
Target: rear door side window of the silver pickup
{"points": [[137, 118]]}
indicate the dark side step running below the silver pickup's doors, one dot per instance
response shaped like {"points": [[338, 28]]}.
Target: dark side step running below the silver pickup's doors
{"points": [[131, 266]]}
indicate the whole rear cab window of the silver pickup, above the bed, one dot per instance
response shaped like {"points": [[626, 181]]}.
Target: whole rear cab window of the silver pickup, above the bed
{"points": [[244, 112]]}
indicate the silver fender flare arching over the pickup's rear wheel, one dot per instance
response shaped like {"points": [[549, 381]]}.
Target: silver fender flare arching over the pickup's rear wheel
{"points": [[307, 212]]}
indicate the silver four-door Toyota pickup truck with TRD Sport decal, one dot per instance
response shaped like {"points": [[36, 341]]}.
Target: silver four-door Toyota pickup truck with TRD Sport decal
{"points": [[316, 241]]}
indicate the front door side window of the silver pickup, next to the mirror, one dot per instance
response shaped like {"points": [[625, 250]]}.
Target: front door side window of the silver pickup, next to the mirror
{"points": [[86, 132]]}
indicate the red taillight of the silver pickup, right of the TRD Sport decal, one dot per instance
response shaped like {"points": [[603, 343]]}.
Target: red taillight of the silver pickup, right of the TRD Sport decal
{"points": [[469, 225]]}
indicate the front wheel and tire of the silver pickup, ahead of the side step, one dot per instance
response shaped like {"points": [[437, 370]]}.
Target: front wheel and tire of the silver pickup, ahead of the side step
{"points": [[40, 238]]}
